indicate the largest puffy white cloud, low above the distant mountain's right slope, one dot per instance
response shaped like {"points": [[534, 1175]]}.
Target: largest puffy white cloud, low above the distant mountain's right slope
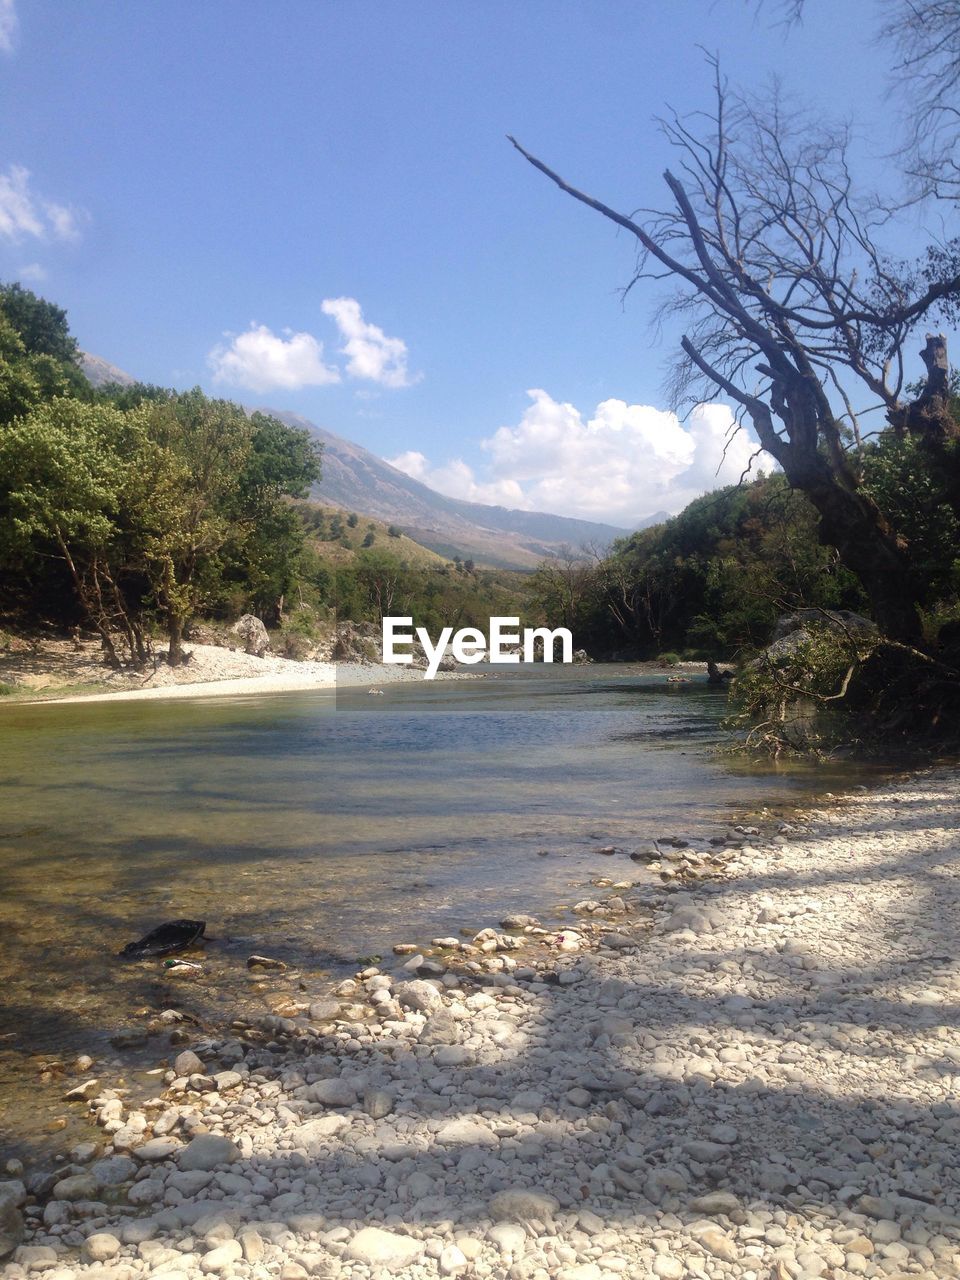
{"points": [[620, 467]]}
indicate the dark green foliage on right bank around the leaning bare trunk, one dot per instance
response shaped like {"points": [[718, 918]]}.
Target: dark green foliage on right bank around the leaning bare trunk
{"points": [[714, 583]]}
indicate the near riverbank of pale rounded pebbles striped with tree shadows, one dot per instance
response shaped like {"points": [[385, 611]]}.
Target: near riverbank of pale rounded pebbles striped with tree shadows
{"points": [[748, 1068]]}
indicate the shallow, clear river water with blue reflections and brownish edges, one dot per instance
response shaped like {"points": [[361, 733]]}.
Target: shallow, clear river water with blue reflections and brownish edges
{"points": [[322, 829]]}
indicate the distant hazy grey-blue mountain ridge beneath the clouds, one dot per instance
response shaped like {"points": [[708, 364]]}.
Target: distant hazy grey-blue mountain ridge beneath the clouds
{"points": [[355, 479]]}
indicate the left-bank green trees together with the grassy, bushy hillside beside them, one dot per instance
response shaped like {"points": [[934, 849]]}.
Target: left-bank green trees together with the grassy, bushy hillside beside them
{"points": [[136, 510]]}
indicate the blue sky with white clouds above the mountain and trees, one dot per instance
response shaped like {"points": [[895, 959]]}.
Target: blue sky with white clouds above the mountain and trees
{"points": [[313, 205]]}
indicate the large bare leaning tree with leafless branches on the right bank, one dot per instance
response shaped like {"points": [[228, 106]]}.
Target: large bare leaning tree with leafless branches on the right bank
{"points": [[792, 309]]}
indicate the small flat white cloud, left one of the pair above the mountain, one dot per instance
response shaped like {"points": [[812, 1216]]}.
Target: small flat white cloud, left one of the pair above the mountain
{"points": [[263, 362]]}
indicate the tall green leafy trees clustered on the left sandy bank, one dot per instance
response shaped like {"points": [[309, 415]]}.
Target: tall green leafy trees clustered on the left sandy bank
{"points": [[134, 508]]}
